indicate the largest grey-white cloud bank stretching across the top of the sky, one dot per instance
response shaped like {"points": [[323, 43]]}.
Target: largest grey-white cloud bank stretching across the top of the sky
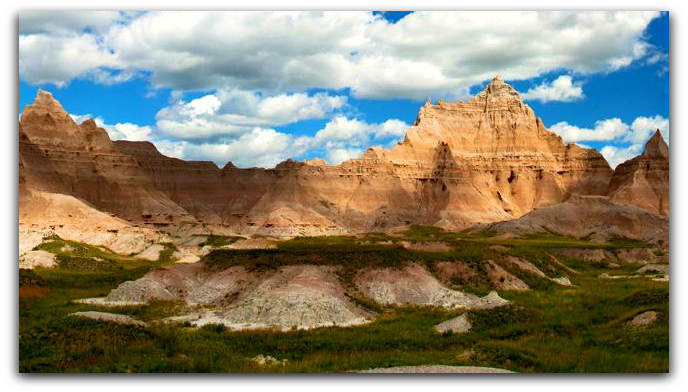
{"points": [[442, 53]]}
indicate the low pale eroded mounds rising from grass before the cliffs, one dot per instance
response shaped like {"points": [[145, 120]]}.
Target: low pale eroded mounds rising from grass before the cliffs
{"points": [[301, 296]]}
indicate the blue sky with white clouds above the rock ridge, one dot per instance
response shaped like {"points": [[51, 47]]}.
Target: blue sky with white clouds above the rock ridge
{"points": [[256, 88]]}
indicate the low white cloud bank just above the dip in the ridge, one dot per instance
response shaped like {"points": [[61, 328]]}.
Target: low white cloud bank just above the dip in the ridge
{"points": [[202, 130]]}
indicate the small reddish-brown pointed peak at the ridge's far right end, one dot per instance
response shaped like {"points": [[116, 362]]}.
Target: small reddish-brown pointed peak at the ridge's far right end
{"points": [[644, 180]]}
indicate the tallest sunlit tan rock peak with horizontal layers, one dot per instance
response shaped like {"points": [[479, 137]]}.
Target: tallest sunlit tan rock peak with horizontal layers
{"points": [[491, 159]]}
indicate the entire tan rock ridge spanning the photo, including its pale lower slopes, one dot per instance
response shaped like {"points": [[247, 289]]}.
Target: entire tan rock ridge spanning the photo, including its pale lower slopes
{"points": [[461, 164]]}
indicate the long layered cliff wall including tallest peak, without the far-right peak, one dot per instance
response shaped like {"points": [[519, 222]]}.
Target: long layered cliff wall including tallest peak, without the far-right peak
{"points": [[489, 159]]}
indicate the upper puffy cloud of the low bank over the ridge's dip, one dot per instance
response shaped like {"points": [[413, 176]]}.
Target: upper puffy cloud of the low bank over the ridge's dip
{"points": [[236, 112]]}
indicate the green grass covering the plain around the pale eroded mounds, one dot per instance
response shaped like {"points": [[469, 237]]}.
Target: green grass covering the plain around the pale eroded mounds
{"points": [[549, 329]]}
